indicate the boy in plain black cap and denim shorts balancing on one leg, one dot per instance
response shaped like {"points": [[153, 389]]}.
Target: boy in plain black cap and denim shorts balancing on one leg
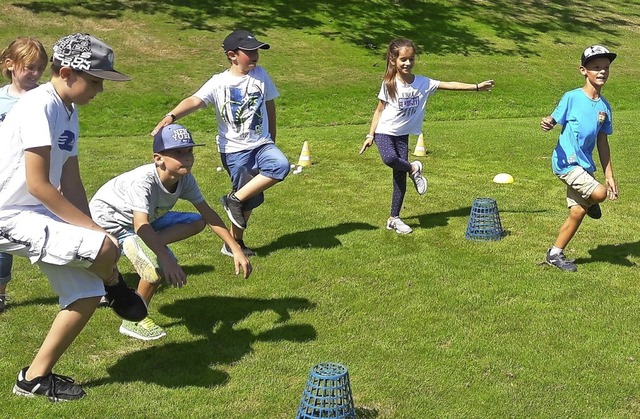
{"points": [[243, 98]]}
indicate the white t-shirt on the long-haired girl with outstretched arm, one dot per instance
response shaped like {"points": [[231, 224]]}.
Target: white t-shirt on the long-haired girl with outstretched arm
{"points": [[404, 114]]}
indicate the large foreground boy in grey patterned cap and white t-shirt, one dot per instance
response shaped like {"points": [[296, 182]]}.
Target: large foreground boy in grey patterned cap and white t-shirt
{"points": [[44, 213]]}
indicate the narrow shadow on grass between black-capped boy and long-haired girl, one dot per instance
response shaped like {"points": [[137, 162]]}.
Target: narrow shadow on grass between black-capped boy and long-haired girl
{"points": [[324, 237]]}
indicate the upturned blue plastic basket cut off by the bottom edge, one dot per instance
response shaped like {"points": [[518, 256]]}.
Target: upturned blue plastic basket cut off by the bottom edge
{"points": [[327, 393]]}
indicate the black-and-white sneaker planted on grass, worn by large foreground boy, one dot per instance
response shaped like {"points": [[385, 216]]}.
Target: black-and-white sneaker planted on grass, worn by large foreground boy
{"points": [[56, 388]]}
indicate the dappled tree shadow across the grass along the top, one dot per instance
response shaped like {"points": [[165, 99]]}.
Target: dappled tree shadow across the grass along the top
{"points": [[438, 27]]}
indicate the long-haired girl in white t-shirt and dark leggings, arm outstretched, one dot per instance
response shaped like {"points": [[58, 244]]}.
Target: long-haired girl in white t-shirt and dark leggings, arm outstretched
{"points": [[402, 102]]}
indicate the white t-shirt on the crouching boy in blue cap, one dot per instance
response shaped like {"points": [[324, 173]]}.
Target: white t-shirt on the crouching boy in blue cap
{"points": [[138, 190]]}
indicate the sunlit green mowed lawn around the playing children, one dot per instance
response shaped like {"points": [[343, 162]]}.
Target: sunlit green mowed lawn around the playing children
{"points": [[430, 324]]}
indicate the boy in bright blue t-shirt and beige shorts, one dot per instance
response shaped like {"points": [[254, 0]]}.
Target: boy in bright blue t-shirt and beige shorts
{"points": [[586, 119]]}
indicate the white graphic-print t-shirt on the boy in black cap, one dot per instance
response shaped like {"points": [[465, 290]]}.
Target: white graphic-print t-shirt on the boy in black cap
{"points": [[241, 109]]}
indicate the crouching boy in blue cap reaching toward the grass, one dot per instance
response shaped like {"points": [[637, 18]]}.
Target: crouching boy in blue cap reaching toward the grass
{"points": [[136, 206]]}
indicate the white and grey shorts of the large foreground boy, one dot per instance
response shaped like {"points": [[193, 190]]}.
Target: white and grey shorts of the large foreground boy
{"points": [[61, 250]]}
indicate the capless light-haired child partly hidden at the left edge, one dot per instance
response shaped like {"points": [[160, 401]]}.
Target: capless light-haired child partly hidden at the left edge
{"points": [[23, 63]]}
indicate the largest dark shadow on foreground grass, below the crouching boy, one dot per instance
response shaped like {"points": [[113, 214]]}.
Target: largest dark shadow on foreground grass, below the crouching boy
{"points": [[179, 364]]}
